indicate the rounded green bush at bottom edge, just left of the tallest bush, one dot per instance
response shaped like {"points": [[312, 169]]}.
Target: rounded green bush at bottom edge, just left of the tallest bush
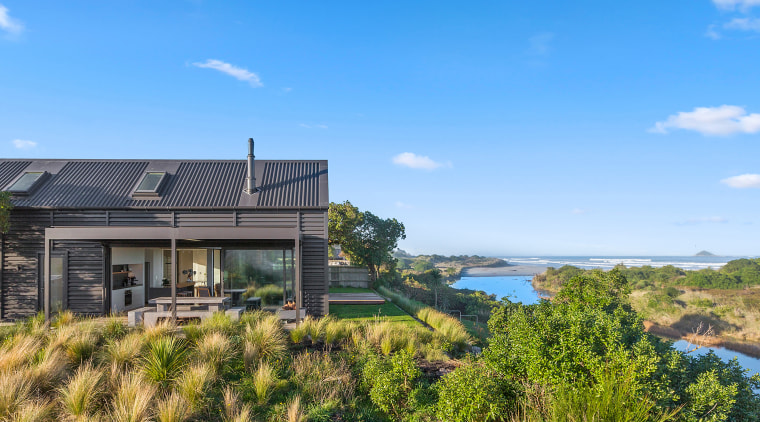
{"points": [[472, 393]]}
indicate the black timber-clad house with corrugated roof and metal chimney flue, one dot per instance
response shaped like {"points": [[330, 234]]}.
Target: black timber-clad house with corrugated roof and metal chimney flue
{"points": [[102, 236]]}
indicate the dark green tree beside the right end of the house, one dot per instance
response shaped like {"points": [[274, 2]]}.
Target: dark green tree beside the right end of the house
{"points": [[366, 238]]}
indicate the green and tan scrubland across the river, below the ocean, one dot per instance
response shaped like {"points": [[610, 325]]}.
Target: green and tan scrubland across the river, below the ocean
{"points": [[726, 302]]}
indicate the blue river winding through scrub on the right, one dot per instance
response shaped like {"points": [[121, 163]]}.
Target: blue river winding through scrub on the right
{"points": [[520, 289]]}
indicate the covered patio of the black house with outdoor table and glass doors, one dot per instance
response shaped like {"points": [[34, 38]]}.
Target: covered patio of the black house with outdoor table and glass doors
{"points": [[188, 272]]}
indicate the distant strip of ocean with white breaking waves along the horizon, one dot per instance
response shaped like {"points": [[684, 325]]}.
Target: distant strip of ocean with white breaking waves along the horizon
{"points": [[608, 262]]}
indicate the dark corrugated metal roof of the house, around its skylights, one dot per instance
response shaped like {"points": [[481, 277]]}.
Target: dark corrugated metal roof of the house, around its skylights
{"points": [[108, 184]]}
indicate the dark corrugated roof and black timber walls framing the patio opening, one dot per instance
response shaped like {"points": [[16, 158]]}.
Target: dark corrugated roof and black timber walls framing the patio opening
{"points": [[84, 207]]}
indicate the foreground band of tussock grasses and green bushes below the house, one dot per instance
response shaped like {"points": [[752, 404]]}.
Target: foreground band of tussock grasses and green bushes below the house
{"points": [[582, 357]]}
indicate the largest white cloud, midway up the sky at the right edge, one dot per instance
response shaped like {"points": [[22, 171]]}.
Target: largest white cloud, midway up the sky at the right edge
{"points": [[723, 120]]}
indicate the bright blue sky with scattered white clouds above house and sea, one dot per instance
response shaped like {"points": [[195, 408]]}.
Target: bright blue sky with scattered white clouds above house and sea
{"points": [[497, 128]]}
